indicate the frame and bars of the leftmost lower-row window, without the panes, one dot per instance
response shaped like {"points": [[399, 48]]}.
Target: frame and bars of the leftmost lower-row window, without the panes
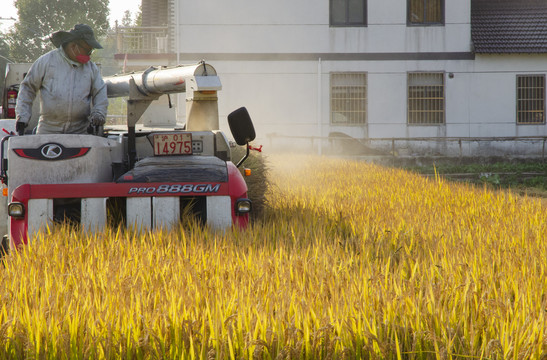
{"points": [[365, 108]]}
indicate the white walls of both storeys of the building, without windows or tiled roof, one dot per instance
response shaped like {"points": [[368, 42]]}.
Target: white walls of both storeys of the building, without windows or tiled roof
{"points": [[275, 58]]}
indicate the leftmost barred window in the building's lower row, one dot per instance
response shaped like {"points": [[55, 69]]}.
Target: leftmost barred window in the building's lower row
{"points": [[348, 98]]}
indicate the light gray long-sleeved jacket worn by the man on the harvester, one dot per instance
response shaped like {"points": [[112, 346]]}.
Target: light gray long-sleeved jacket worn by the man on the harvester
{"points": [[69, 93]]}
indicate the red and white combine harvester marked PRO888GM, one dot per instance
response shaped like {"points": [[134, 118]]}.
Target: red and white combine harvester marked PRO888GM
{"points": [[146, 177]]}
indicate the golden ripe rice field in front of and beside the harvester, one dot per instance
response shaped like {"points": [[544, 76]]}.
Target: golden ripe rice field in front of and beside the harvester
{"points": [[349, 261]]}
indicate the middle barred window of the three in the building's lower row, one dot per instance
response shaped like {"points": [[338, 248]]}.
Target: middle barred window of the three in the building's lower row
{"points": [[425, 98]]}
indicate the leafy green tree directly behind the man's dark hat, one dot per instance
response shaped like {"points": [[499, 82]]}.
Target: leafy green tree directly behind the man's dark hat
{"points": [[29, 38]]}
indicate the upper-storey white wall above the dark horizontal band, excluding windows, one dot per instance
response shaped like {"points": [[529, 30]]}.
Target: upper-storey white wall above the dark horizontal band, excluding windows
{"points": [[241, 26]]}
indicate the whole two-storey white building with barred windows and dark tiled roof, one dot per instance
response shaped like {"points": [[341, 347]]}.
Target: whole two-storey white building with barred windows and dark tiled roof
{"points": [[371, 69]]}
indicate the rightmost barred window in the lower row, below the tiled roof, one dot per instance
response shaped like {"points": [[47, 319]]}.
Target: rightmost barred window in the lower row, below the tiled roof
{"points": [[530, 99]]}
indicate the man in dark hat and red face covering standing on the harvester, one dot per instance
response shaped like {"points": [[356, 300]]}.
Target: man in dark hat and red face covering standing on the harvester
{"points": [[72, 91]]}
